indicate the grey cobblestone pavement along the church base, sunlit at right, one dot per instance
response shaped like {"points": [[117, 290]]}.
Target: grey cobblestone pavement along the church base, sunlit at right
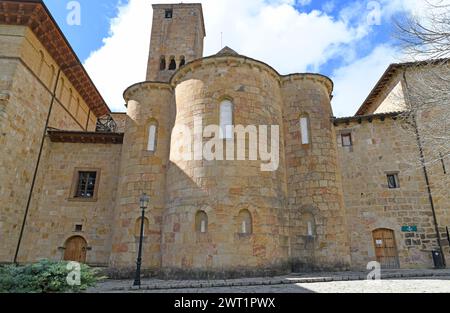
{"points": [[409, 281]]}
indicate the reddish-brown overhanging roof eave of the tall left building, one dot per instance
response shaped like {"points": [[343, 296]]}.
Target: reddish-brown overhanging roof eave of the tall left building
{"points": [[35, 15]]}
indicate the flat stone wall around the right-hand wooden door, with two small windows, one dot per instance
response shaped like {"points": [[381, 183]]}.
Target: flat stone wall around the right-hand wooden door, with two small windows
{"points": [[382, 147]]}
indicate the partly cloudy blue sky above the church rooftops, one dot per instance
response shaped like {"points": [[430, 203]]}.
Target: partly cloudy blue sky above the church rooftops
{"points": [[334, 37]]}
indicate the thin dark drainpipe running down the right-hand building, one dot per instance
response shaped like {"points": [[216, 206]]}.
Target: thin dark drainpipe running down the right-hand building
{"points": [[425, 171]]}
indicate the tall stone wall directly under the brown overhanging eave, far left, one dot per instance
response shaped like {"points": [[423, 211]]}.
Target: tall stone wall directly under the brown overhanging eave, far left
{"points": [[26, 84]]}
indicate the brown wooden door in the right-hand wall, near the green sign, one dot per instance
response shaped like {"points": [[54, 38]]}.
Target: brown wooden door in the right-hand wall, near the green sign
{"points": [[386, 248]]}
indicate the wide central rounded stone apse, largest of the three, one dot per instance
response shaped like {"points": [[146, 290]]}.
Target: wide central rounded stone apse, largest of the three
{"points": [[222, 189]]}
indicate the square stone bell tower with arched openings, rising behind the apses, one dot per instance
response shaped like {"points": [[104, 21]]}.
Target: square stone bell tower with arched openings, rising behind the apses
{"points": [[178, 31]]}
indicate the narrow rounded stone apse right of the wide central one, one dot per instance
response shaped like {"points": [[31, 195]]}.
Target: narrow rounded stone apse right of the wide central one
{"points": [[313, 177]]}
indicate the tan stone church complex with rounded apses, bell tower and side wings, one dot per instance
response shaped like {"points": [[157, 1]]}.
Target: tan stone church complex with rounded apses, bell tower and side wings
{"points": [[72, 172]]}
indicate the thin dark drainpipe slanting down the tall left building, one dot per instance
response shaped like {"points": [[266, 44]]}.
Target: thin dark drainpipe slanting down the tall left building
{"points": [[33, 183]]}
